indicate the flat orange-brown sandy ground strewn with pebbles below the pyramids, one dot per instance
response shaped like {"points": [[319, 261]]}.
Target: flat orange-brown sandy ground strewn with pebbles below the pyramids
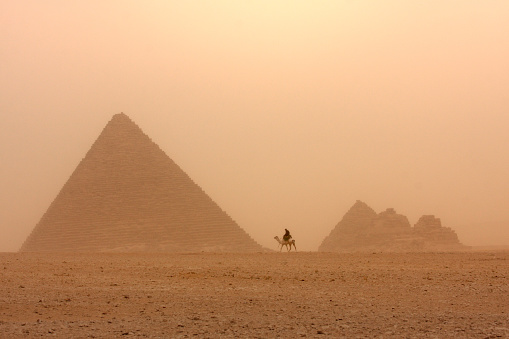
{"points": [[261, 295]]}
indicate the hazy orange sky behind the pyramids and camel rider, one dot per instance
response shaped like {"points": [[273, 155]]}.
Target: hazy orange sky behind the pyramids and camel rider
{"points": [[284, 112]]}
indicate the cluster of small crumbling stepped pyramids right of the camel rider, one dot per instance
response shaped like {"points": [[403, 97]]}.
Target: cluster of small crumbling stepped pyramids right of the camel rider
{"points": [[362, 229]]}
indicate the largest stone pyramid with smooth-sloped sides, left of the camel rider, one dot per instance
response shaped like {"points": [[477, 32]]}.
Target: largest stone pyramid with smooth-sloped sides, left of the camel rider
{"points": [[128, 195]]}
